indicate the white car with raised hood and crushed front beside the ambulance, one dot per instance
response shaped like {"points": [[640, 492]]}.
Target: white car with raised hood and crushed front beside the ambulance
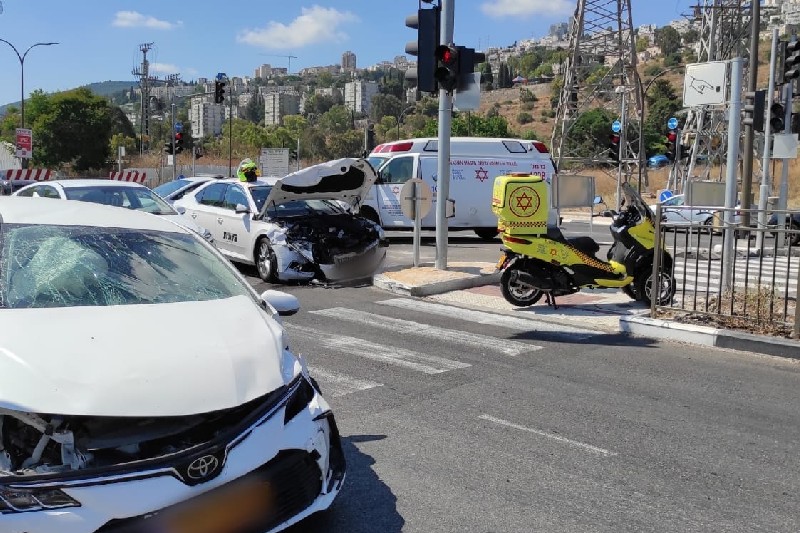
{"points": [[296, 227]]}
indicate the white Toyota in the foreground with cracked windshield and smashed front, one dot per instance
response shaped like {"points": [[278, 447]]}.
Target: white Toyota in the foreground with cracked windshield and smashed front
{"points": [[112, 419]]}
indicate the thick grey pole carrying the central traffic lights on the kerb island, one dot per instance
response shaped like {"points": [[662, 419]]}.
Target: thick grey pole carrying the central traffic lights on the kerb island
{"points": [[445, 116]]}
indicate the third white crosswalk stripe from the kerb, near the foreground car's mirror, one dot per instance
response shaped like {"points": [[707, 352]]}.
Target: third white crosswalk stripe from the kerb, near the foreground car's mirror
{"points": [[427, 364]]}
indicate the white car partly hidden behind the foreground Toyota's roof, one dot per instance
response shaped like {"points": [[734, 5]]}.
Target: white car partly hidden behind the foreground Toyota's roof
{"points": [[114, 193]]}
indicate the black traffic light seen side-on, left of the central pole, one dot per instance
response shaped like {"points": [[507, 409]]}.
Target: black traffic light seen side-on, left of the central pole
{"points": [[426, 22]]}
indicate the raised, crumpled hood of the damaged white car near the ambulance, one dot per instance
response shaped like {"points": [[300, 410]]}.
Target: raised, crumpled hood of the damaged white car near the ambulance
{"points": [[347, 180]]}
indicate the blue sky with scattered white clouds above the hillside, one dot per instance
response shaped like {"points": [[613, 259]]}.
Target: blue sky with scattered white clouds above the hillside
{"points": [[99, 39]]}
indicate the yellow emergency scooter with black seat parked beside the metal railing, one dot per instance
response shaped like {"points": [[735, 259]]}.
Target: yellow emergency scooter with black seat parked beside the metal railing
{"points": [[537, 260]]}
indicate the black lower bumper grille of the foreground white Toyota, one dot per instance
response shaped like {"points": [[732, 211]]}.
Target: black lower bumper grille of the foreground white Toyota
{"points": [[293, 476]]}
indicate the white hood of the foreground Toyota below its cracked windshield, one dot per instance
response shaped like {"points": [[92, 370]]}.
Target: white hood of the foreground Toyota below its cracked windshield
{"points": [[171, 359]]}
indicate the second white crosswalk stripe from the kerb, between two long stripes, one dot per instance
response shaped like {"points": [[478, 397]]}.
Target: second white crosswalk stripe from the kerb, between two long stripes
{"points": [[476, 341]]}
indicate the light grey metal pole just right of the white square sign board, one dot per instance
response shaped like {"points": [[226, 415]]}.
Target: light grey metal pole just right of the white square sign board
{"points": [[734, 112]]}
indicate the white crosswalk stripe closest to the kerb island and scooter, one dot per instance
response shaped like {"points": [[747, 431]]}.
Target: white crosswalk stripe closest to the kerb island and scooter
{"points": [[490, 319]]}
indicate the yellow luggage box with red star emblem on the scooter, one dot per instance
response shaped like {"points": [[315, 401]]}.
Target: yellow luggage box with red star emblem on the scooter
{"points": [[521, 203]]}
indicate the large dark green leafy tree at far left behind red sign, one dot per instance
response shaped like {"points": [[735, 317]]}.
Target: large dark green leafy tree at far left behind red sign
{"points": [[75, 129]]}
